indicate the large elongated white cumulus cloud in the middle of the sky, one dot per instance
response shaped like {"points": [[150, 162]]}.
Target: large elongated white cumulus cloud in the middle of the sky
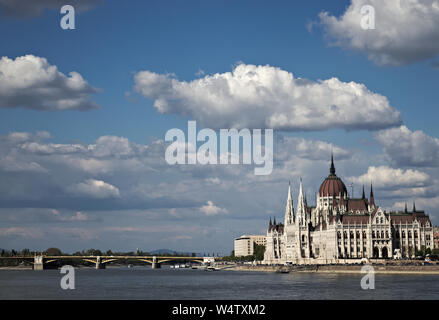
{"points": [[268, 97]]}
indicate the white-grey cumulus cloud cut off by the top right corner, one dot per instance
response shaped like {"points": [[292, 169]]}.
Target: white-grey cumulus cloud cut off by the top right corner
{"points": [[405, 31]]}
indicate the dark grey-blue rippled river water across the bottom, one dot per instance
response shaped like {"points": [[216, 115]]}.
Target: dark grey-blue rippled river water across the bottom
{"points": [[178, 284]]}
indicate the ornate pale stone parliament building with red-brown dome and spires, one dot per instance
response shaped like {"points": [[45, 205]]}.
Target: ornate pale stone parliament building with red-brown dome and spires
{"points": [[340, 228]]}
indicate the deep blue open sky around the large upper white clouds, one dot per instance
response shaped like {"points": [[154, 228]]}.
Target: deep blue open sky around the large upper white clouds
{"points": [[110, 43]]}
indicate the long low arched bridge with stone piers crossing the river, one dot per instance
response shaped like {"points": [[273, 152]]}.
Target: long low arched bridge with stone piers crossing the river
{"points": [[40, 261]]}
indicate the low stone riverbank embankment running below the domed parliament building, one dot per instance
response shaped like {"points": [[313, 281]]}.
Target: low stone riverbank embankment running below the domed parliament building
{"points": [[379, 269]]}
